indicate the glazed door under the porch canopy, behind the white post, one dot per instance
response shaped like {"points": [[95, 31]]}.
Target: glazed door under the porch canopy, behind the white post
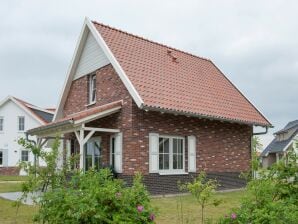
{"points": [[93, 154]]}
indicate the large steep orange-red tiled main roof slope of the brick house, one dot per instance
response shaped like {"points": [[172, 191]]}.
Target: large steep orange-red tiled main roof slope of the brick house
{"points": [[174, 80]]}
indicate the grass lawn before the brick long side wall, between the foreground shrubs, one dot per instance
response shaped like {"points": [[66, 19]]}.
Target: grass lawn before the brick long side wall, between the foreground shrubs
{"points": [[169, 208]]}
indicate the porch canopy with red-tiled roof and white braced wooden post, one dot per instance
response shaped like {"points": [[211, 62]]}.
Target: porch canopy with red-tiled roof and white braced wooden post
{"points": [[76, 123]]}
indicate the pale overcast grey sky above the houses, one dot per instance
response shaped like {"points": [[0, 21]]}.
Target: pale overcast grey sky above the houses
{"points": [[255, 44]]}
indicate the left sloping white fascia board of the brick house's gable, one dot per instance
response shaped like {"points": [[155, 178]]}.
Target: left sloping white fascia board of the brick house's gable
{"points": [[71, 70]]}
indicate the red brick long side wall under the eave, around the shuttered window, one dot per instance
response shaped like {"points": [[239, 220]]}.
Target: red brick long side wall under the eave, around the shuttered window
{"points": [[222, 146]]}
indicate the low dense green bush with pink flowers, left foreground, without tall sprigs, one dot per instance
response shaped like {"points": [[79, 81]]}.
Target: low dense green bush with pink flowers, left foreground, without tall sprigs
{"points": [[95, 197]]}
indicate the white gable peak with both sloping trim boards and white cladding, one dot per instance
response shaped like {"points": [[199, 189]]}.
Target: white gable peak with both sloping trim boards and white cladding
{"points": [[78, 69]]}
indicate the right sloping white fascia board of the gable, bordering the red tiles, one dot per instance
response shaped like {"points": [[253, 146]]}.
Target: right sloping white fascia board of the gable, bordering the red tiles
{"points": [[131, 89]]}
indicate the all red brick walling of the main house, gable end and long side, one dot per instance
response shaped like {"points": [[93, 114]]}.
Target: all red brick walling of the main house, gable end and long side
{"points": [[222, 146]]}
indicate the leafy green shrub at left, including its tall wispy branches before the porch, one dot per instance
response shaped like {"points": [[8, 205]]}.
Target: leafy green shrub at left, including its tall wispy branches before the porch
{"points": [[72, 196]]}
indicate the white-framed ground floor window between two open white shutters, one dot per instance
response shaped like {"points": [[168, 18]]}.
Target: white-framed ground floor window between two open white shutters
{"points": [[171, 153]]}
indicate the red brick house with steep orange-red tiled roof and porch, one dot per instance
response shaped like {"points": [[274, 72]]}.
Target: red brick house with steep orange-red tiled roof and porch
{"points": [[138, 105]]}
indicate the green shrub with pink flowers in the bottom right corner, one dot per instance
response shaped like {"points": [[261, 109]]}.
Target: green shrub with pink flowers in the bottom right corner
{"points": [[272, 198]]}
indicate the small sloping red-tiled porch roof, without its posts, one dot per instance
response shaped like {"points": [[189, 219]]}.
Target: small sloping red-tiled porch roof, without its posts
{"points": [[74, 121]]}
